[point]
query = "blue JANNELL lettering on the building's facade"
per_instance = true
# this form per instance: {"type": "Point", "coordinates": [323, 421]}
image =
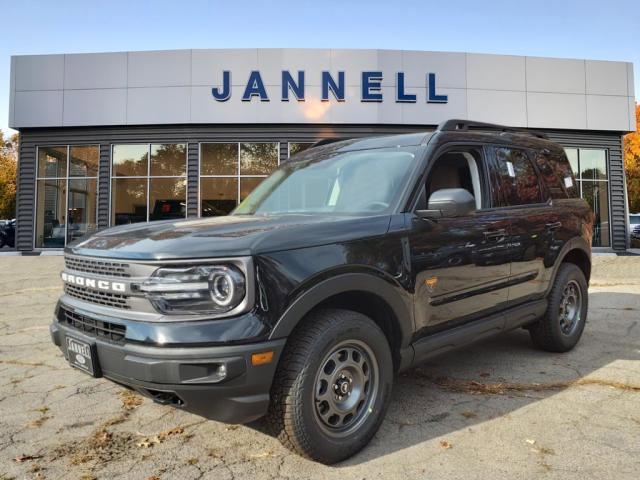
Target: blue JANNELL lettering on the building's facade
{"type": "Point", "coordinates": [371, 87]}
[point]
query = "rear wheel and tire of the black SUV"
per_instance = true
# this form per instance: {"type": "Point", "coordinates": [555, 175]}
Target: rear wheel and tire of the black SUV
{"type": "Point", "coordinates": [563, 323]}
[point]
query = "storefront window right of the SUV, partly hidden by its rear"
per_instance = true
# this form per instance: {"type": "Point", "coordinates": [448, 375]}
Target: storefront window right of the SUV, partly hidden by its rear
{"type": "Point", "coordinates": [590, 169]}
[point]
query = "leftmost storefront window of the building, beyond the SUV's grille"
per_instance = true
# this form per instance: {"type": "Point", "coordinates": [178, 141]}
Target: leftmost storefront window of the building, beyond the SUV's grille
{"type": "Point", "coordinates": [66, 190]}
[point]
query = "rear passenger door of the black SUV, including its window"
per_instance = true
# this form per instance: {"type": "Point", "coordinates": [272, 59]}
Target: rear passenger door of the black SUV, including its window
{"type": "Point", "coordinates": [518, 191]}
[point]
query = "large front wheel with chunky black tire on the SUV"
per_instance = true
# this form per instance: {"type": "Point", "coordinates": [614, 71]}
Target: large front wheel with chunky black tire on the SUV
{"type": "Point", "coordinates": [303, 406]}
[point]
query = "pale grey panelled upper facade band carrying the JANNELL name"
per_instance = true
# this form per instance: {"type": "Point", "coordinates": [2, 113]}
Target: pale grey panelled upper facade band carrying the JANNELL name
{"type": "Point", "coordinates": [282, 86]}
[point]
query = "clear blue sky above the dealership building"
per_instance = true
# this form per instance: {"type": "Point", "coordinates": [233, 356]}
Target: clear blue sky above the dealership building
{"type": "Point", "coordinates": [605, 30]}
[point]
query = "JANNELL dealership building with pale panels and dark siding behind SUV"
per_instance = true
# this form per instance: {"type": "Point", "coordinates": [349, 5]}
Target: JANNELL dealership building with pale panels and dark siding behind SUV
{"type": "Point", "coordinates": [113, 138]}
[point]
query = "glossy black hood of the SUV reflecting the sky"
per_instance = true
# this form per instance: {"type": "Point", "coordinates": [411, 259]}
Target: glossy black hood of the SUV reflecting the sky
{"type": "Point", "coordinates": [234, 235]}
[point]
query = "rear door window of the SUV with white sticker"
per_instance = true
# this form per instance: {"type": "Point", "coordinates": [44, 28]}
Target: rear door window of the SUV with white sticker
{"type": "Point", "coordinates": [515, 180]}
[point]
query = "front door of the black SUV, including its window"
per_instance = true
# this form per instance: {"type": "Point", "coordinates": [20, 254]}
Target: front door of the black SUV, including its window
{"type": "Point", "coordinates": [461, 265]}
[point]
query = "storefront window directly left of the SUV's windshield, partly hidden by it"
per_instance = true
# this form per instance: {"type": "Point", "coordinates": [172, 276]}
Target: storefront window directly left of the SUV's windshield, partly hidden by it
{"type": "Point", "coordinates": [230, 171]}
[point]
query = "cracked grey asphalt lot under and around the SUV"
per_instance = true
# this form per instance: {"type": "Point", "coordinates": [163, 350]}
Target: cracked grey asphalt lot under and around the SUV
{"type": "Point", "coordinates": [500, 409]}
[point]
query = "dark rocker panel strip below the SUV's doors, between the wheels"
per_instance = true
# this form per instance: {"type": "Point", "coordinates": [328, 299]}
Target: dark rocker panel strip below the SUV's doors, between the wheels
{"type": "Point", "coordinates": [447, 340]}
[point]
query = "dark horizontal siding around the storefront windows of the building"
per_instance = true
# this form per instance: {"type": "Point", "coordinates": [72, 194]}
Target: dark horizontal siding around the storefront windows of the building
{"type": "Point", "coordinates": [193, 134]}
